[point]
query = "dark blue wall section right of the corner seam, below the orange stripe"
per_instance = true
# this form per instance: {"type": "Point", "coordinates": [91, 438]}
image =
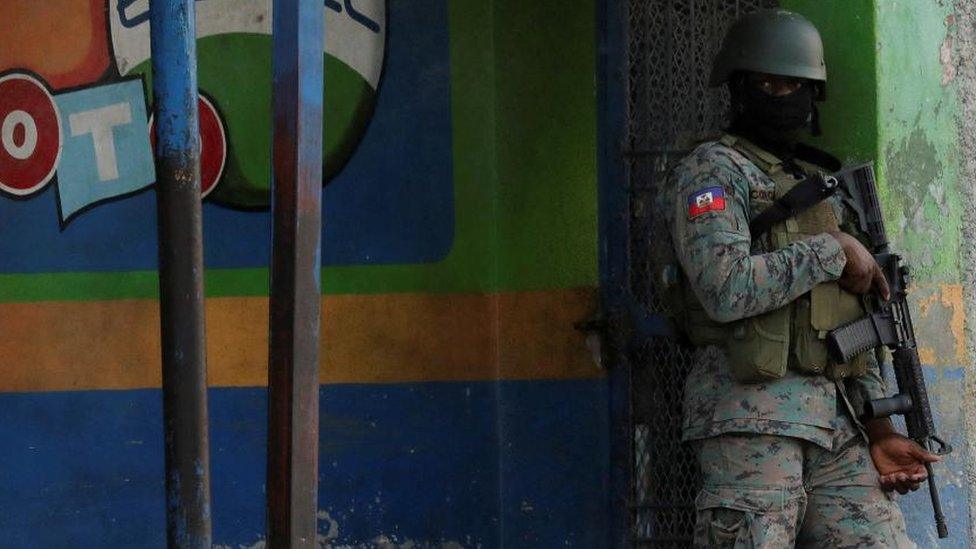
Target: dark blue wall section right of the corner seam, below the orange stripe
{"type": "Point", "coordinates": [555, 464]}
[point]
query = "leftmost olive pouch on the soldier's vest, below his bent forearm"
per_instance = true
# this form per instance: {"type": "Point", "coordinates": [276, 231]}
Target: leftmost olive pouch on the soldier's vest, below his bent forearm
{"type": "Point", "coordinates": [758, 348]}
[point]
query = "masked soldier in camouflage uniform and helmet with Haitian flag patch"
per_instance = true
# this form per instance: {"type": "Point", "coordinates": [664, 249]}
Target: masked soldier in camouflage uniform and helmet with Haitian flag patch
{"type": "Point", "coordinates": [784, 459]}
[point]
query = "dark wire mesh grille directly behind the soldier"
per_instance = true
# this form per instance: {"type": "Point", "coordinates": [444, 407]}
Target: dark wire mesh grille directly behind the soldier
{"type": "Point", "coordinates": [671, 47]}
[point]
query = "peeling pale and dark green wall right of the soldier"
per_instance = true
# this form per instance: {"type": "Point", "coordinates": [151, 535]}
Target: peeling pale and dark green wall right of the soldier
{"type": "Point", "coordinates": [898, 83]}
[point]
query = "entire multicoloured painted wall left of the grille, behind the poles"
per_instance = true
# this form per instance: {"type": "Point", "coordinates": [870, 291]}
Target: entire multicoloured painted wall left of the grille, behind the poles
{"type": "Point", "coordinates": [459, 406]}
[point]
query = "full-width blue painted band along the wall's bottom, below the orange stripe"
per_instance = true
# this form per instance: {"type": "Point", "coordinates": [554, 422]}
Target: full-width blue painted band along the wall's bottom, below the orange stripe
{"type": "Point", "coordinates": [476, 463]}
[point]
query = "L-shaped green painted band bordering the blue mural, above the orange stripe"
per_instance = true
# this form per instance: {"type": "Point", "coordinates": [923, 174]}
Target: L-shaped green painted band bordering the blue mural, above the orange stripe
{"type": "Point", "coordinates": [524, 131]}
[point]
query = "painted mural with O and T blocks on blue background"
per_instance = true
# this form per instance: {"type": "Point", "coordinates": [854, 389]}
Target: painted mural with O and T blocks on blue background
{"type": "Point", "coordinates": [76, 134]}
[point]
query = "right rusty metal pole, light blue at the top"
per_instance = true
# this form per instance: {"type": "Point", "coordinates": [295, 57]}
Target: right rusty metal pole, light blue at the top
{"type": "Point", "coordinates": [293, 404]}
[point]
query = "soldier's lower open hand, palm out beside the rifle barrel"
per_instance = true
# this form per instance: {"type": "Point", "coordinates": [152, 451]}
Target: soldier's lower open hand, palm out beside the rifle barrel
{"type": "Point", "coordinates": [900, 462]}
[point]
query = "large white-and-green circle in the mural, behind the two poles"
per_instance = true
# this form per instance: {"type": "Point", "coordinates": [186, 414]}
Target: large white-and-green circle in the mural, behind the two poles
{"type": "Point", "coordinates": [234, 72]}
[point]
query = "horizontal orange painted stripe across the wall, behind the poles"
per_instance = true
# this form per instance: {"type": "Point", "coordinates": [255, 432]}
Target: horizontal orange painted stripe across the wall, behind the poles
{"type": "Point", "coordinates": [53, 346]}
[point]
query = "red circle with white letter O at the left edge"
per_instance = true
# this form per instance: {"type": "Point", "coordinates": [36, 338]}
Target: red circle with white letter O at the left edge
{"type": "Point", "coordinates": [30, 135]}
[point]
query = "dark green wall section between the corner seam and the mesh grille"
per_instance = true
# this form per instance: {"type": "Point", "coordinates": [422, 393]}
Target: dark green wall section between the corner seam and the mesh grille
{"type": "Point", "coordinates": [545, 69]}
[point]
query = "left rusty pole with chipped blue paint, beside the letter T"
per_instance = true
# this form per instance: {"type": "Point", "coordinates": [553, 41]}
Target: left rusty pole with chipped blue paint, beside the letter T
{"type": "Point", "coordinates": [174, 64]}
